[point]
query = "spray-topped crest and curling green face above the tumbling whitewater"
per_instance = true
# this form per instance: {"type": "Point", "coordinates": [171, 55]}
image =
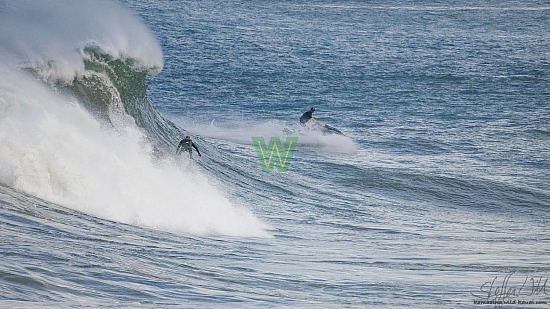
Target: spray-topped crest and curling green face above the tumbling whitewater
{"type": "Point", "coordinates": [94, 50]}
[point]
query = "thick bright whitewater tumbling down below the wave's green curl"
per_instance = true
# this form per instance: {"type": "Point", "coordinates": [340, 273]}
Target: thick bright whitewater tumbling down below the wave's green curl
{"type": "Point", "coordinates": [52, 148]}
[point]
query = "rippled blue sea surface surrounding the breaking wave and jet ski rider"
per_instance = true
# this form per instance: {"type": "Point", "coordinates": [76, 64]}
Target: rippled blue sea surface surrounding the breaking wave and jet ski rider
{"type": "Point", "coordinates": [439, 186]}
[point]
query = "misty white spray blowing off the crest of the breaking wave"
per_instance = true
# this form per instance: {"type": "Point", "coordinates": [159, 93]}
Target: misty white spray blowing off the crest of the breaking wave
{"type": "Point", "coordinates": [50, 35]}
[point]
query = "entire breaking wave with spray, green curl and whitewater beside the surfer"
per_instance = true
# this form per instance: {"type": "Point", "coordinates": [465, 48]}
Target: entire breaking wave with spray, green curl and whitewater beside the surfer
{"type": "Point", "coordinates": [77, 127]}
